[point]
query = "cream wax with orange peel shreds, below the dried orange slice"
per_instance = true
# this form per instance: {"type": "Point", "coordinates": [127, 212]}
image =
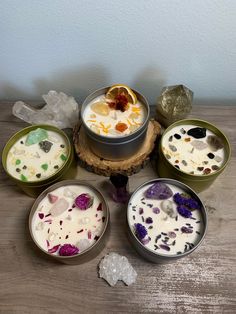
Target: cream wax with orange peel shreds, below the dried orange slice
{"type": "Point", "coordinates": [105, 125]}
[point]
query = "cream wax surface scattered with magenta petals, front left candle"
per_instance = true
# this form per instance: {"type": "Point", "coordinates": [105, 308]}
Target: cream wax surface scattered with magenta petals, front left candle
{"type": "Point", "coordinates": [74, 226]}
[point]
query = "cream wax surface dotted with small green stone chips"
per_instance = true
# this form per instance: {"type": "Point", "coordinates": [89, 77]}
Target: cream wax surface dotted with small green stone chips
{"type": "Point", "coordinates": [31, 163]}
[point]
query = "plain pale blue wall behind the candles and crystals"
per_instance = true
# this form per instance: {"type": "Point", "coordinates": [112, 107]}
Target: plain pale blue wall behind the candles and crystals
{"type": "Point", "coordinates": [77, 46]}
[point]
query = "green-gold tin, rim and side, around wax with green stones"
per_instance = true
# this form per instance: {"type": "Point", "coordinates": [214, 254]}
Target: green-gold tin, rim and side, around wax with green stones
{"type": "Point", "coordinates": [30, 187]}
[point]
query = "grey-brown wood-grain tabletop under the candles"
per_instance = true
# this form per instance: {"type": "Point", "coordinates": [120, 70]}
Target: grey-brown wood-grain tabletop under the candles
{"type": "Point", "coordinates": [204, 282]}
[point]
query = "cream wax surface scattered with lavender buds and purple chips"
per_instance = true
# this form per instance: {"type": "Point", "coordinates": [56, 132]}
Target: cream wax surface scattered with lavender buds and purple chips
{"type": "Point", "coordinates": [164, 230]}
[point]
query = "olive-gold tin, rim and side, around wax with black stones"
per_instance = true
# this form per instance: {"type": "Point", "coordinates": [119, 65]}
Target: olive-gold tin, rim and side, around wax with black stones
{"type": "Point", "coordinates": [197, 182]}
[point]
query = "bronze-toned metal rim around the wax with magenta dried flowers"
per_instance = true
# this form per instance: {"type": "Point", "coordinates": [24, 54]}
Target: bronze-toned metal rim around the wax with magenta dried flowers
{"type": "Point", "coordinates": [51, 189]}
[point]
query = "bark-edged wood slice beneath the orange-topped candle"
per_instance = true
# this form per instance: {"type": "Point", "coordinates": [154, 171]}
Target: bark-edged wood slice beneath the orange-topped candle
{"type": "Point", "coordinates": [91, 162]}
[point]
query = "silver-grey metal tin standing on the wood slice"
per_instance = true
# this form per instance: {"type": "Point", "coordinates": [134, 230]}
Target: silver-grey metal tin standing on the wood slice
{"type": "Point", "coordinates": [115, 148]}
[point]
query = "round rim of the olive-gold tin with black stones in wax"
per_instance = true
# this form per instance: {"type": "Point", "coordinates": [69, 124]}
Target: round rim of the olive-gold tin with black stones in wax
{"type": "Point", "coordinates": [214, 129]}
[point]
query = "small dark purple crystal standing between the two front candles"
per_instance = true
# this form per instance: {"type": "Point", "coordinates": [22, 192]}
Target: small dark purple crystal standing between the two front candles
{"type": "Point", "coordinates": [120, 183]}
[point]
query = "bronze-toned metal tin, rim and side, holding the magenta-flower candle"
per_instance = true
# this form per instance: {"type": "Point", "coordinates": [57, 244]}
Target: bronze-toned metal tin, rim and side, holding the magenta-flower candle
{"type": "Point", "coordinates": [91, 251]}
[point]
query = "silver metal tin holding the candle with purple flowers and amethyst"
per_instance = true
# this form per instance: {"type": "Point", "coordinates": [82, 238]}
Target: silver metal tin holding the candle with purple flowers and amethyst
{"type": "Point", "coordinates": [157, 257]}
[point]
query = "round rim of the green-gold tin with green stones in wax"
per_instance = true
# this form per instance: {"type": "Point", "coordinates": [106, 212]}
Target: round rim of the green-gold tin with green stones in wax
{"type": "Point", "coordinates": [23, 132]}
